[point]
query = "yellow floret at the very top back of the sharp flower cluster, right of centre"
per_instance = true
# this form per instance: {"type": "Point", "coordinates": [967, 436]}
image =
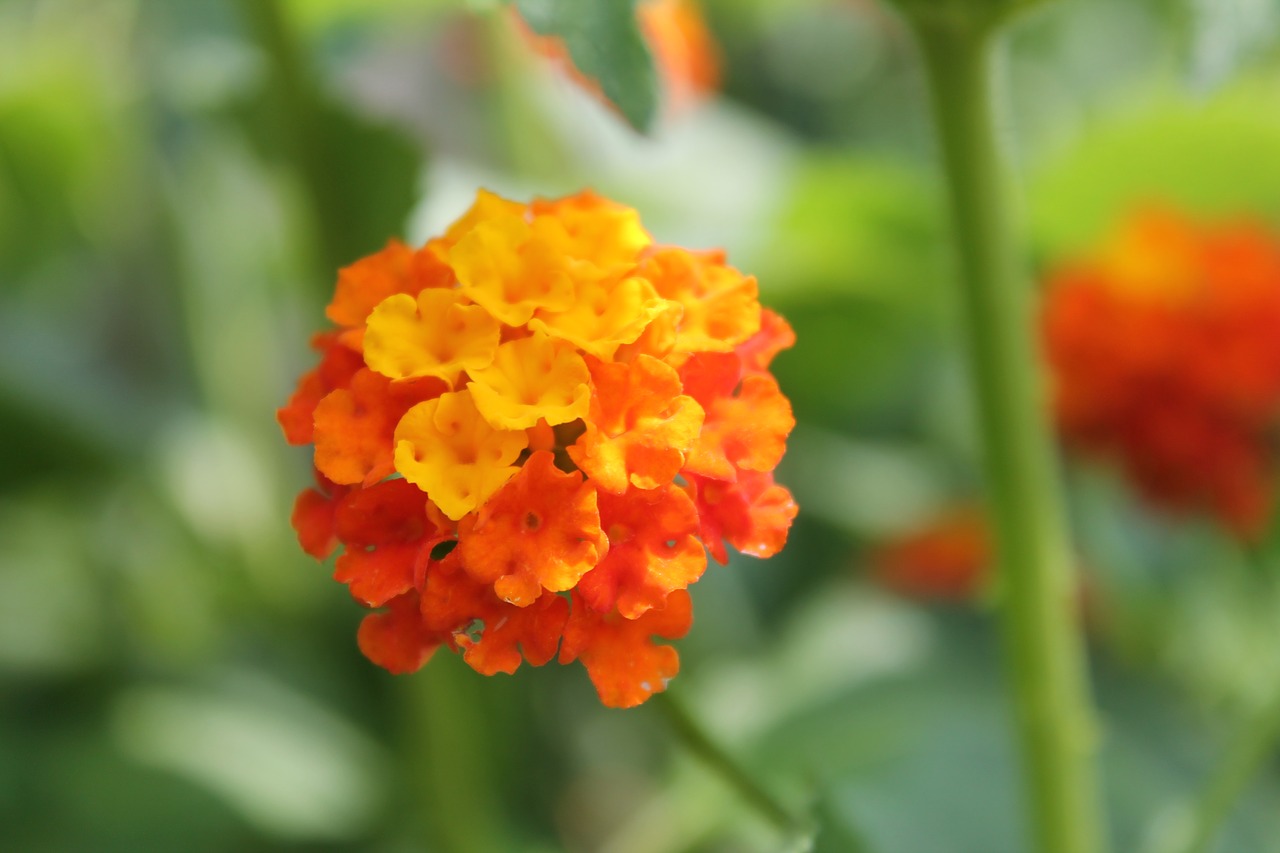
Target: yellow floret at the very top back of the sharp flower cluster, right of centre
{"type": "Point", "coordinates": [601, 232]}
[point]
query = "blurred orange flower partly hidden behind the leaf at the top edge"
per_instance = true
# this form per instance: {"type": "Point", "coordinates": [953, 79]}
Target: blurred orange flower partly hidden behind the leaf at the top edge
{"type": "Point", "coordinates": [683, 48]}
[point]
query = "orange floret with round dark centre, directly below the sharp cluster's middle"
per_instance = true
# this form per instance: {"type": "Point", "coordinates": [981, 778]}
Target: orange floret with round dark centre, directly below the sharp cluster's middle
{"type": "Point", "coordinates": [542, 531]}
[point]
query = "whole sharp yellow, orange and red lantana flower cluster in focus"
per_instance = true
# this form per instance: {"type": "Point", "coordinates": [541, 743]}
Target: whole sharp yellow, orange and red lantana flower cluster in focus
{"type": "Point", "coordinates": [527, 432]}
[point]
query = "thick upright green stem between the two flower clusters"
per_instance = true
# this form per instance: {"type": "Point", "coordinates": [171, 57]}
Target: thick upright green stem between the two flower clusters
{"type": "Point", "coordinates": [1039, 601]}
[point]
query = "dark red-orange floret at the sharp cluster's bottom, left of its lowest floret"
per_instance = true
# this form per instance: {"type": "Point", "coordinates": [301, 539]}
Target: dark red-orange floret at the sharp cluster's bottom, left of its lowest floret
{"type": "Point", "coordinates": [492, 635]}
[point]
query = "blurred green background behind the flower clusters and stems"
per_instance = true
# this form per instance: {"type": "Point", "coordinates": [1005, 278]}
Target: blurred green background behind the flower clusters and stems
{"type": "Point", "coordinates": [180, 184]}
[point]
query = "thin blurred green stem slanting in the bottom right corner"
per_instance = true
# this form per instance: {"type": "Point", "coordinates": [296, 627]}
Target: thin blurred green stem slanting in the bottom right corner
{"type": "Point", "coordinates": [1254, 745]}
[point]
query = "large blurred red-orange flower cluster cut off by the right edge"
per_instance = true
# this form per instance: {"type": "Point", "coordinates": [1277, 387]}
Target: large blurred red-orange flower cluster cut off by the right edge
{"type": "Point", "coordinates": [1165, 352]}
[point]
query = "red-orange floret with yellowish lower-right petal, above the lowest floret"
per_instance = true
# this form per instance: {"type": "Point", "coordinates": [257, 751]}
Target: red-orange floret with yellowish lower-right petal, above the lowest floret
{"type": "Point", "coordinates": [653, 550]}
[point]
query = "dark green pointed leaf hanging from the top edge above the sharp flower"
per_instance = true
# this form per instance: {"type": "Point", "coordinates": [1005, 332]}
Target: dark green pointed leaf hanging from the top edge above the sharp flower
{"type": "Point", "coordinates": [604, 38]}
